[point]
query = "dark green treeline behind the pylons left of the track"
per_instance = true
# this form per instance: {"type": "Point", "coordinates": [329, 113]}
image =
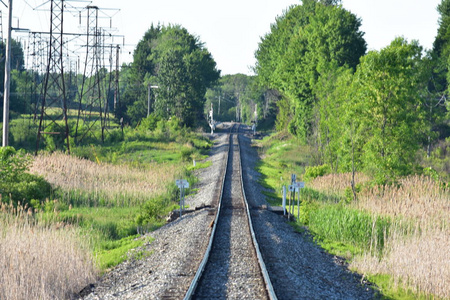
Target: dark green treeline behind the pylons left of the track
{"type": "Point", "coordinates": [168, 58]}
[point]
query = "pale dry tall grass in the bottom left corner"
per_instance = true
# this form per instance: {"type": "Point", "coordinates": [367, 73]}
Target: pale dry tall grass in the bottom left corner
{"type": "Point", "coordinates": [39, 260]}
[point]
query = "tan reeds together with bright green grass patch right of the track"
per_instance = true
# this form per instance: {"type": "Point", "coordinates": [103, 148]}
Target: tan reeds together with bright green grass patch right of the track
{"type": "Point", "coordinates": [410, 227]}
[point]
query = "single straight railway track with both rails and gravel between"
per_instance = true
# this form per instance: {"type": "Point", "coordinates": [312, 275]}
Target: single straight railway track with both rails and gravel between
{"type": "Point", "coordinates": [232, 266]}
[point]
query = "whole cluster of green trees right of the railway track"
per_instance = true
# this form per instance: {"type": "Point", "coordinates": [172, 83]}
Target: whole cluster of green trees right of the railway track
{"type": "Point", "coordinates": [360, 111]}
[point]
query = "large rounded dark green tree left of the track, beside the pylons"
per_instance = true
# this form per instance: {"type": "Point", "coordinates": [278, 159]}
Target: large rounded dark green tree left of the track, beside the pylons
{"type": "Point", "coordinates": [181, 67]}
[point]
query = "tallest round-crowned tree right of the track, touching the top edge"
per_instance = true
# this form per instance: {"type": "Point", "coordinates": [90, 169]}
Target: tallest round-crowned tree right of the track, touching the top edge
{"type": "Point", "coordinates": [301, 45]}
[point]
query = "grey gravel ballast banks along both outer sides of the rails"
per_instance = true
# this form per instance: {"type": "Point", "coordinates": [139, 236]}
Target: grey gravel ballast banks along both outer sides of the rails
{"type": "Point", "coordinates": [298, 268]}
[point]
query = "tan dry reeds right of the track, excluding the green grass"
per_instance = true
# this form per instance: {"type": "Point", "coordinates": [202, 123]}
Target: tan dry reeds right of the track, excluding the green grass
{"type": "Point", "coordinates": [418, 258]}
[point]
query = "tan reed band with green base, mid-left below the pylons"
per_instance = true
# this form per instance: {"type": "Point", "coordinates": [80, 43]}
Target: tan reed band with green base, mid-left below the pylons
{"type": "Point", "coordinates": [87, 183]}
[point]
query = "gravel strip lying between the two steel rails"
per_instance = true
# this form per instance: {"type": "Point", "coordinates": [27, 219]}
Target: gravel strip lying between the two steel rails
{"type": "Point", "coordinates": [233, 270]}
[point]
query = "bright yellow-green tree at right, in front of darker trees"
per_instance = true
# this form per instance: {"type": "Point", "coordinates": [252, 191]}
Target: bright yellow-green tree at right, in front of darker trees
{"type": "Point", "coordinates": [389, 109]}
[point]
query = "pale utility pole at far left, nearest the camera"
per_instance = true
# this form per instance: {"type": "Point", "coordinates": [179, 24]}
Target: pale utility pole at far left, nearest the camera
{"type": "Point", "coordinates": [7, 80]}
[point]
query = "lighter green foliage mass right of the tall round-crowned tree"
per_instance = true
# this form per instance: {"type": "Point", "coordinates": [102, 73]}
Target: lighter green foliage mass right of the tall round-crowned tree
{"type": "Point", "coordinates": [374, 120]}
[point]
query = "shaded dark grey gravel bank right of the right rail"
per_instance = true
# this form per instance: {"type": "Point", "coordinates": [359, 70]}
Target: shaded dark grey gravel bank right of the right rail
{"type": "Point", "coordinates": [298, 268]}
